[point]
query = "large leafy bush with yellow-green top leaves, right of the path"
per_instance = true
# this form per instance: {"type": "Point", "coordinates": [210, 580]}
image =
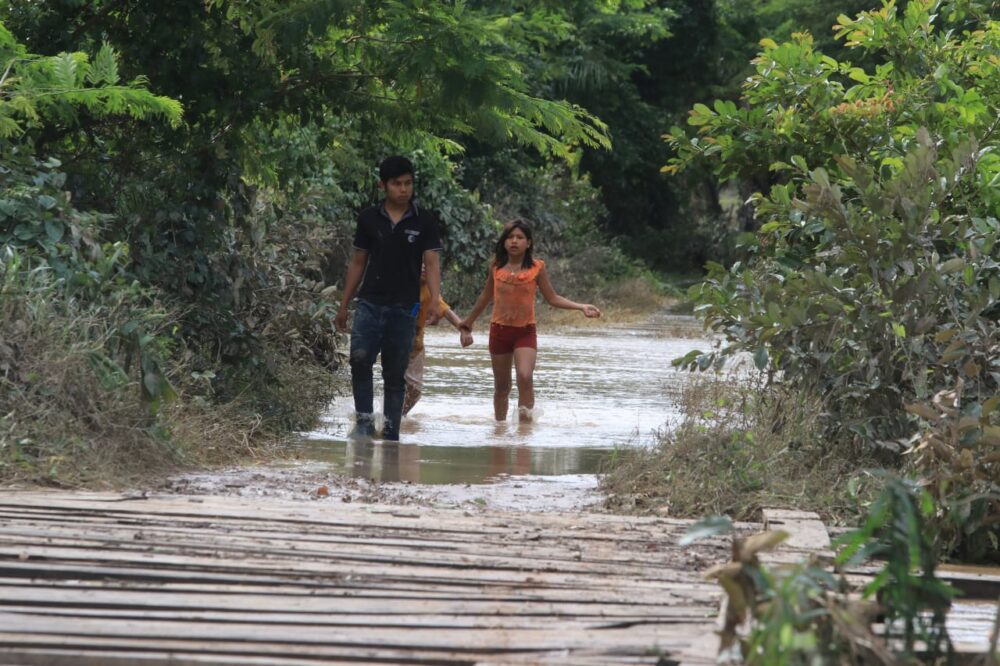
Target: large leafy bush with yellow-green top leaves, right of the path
{"type": "Point", "coordinates": [874, 277]}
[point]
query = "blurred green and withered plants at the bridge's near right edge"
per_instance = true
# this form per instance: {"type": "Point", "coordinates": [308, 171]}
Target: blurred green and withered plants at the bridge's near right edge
{"type": "Point", "coordinates": [806, 614]}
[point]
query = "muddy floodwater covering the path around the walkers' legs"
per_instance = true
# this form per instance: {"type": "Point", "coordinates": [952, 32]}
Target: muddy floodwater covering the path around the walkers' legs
{"type": "Point", "coordinates": [596, 389]}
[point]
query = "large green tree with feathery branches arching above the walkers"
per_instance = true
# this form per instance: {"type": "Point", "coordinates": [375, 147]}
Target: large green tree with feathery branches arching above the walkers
{"type": "Point", "coordinates": [425, 74]}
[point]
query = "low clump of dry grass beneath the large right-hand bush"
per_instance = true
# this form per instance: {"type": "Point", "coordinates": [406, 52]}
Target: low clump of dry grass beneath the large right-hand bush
{"type": "Point", "coordinates": [740, 448]}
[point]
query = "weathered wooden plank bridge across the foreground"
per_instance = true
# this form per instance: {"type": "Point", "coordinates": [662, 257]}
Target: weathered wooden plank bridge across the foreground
{"type": "Point", "coordinates": [110, 579]}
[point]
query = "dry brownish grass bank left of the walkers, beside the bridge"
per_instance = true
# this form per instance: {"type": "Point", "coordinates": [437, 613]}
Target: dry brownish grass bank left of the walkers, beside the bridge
{"type": "Point", "coordinates": [60, 424]}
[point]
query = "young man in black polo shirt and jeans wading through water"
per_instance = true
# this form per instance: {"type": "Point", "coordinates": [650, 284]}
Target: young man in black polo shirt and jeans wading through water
{"type": "Point", "coordinates": [391, 242]}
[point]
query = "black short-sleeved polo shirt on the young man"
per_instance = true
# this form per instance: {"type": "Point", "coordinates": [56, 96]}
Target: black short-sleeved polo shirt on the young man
{"type": "Point", "coordinates": [394, 253]}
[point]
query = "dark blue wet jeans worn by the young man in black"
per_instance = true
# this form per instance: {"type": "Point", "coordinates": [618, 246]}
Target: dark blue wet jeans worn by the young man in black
{"type": "Point", "coordinates": [385, 329]}
